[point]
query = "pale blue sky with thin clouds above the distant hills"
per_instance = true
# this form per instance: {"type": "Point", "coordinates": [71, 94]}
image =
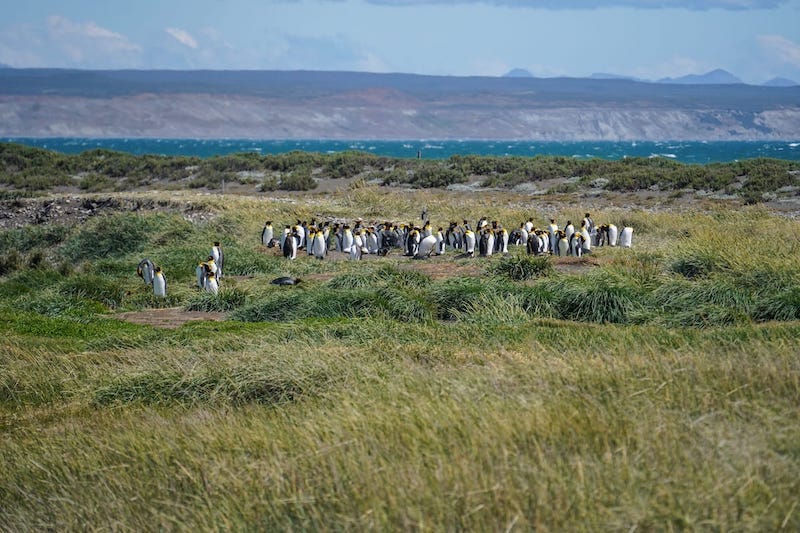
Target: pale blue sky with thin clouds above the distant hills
{"type": "Point", "coordinates": [651, 39]}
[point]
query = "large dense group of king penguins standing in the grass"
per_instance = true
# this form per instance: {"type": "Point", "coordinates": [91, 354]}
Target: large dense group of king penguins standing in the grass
{"type": "Point", "coordinates": [421, 241]}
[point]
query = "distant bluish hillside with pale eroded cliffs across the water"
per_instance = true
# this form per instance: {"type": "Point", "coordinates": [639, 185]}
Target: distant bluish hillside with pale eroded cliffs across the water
{"type": "Point", "coordinates": [350, 105]}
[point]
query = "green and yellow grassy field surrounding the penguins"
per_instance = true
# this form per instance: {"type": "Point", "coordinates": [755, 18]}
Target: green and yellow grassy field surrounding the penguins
{"type": "Point", "coordinates": [652, 389]}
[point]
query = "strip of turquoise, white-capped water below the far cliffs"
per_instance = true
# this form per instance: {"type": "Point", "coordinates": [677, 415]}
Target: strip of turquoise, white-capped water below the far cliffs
{"type": "Point", "coordinates": [684, 151]}
